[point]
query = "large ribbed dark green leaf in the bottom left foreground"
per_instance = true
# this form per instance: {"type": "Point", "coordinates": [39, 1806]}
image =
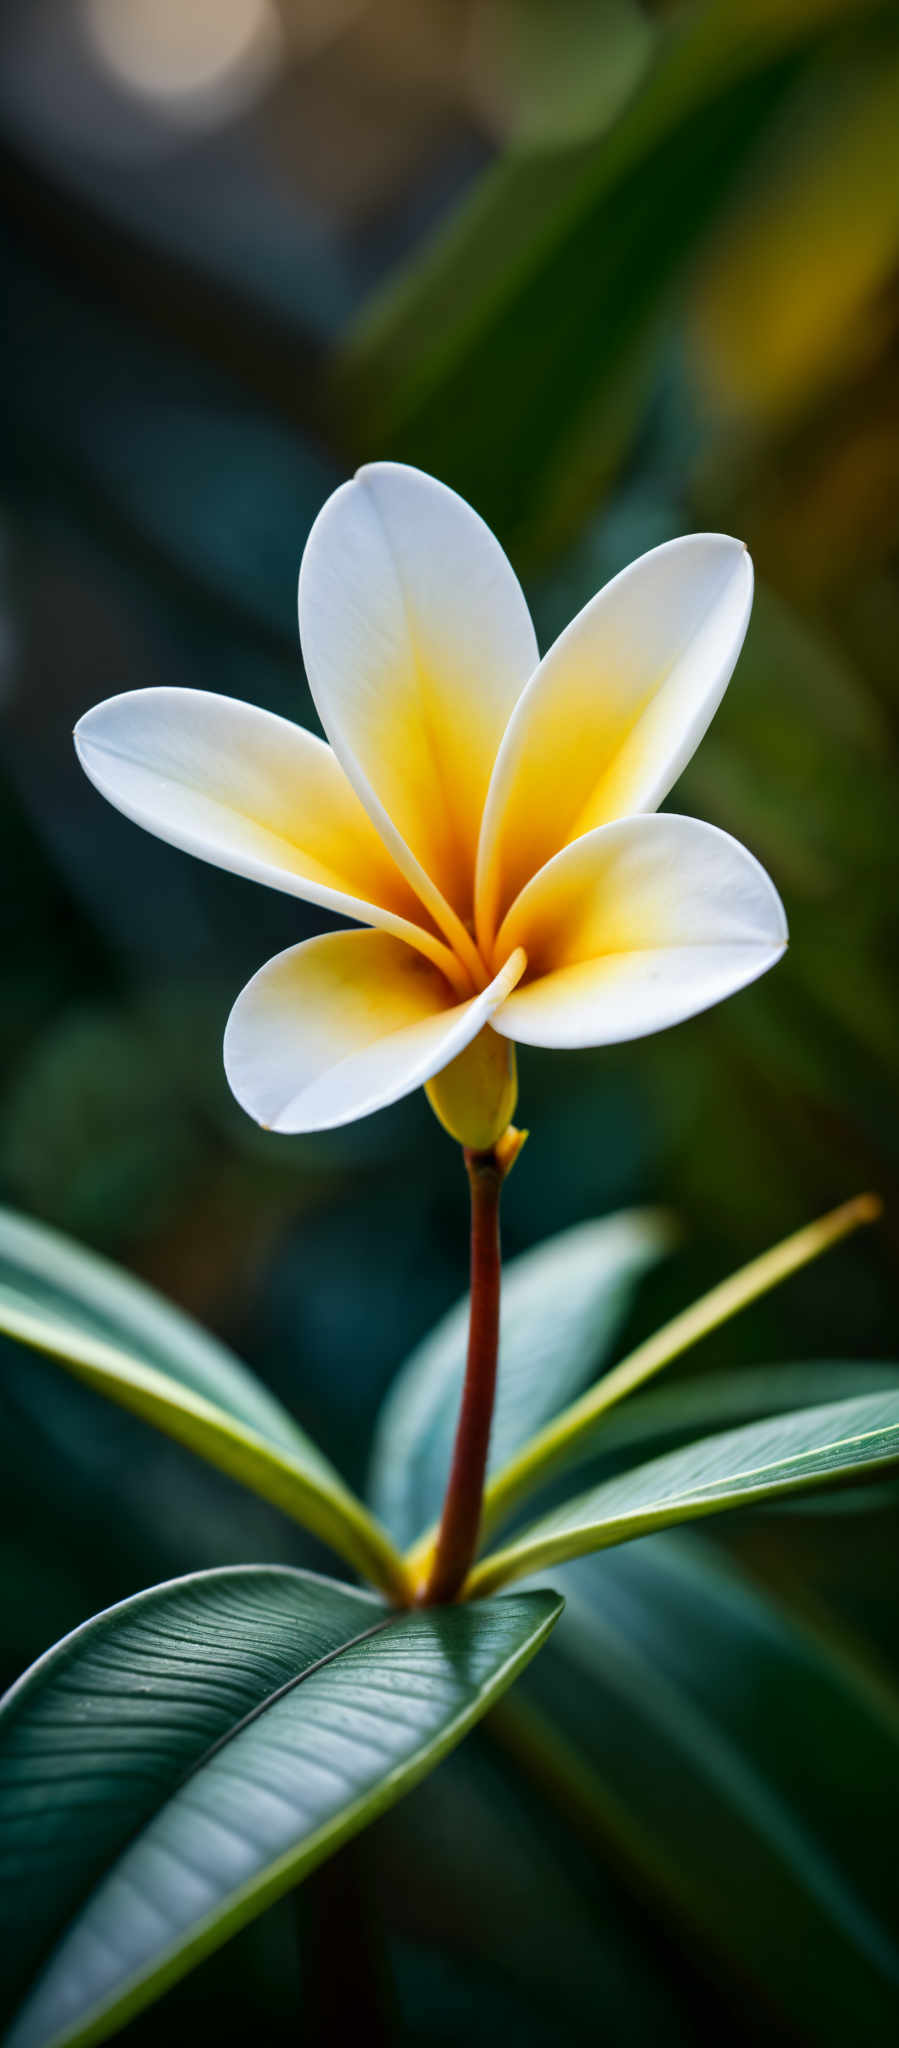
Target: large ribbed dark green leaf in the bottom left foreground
{"type": "Point", "coordinates": [185, 1758]}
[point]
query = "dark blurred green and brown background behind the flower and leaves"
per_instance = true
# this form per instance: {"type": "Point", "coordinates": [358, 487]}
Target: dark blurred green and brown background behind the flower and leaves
{"type": "Point", "coordinates": [617, 273]}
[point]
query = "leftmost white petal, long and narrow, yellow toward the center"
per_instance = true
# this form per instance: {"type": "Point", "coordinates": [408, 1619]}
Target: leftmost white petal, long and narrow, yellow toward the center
{"type": "Point", "coordinates": [251, 794]}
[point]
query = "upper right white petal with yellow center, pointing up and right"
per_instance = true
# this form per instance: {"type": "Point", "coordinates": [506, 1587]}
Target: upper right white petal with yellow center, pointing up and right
{"type": "Point", "coordinates": [615, 710]}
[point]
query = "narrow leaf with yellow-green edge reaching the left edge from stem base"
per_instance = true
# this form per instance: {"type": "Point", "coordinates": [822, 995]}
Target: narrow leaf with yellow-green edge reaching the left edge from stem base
{"type": "Point", "coordinates": [122, 1340]}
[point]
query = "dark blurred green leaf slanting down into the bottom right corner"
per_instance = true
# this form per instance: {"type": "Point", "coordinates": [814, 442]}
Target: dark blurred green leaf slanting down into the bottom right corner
{"type": "Point", "coordinates": [740, 1764]}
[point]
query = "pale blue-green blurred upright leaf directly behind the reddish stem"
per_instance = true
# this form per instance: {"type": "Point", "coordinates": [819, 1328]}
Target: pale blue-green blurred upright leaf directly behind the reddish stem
{"type": "Point", "coordinates": [562, 1310]}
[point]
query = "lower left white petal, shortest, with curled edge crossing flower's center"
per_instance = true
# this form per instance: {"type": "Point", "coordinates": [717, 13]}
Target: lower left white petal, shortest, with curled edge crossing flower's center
{"type": "Point", "coordinates": [345, 1025]}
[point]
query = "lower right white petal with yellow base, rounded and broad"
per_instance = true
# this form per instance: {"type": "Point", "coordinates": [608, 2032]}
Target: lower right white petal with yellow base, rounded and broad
{"type": "Point", "coordinates": [638, 927]}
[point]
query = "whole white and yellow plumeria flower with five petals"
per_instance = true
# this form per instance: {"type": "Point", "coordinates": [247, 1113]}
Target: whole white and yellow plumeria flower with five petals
{"type": "Point", "coordinates": [488, 816]}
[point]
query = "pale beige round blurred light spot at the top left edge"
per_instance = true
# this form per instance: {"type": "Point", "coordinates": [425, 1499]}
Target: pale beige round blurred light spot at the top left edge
{"type": "Point", "coordinates": [210, 56]}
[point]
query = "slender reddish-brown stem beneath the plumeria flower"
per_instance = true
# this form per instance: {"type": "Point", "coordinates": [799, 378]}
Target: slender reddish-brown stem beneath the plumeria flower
{"type": "Point", "coordinates": [462, 1510]}
